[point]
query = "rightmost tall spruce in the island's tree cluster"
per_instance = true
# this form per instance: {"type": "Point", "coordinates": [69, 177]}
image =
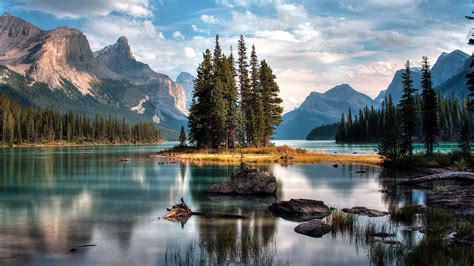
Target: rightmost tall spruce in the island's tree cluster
{"type": "Point", "coordinates": [271, 102]}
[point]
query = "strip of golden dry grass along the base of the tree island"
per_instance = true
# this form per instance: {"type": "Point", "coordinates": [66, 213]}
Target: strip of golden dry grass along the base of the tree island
{"type": "Point", "coordinates": [280, 154]}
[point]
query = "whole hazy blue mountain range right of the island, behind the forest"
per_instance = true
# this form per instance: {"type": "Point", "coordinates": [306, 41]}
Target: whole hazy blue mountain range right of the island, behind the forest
{"type": "Point", "coordinates": [448, 75]}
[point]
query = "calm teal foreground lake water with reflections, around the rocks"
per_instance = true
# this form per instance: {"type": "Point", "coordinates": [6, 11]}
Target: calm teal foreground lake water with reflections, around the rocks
{"type": "Point", "coordinates": [54, 199]}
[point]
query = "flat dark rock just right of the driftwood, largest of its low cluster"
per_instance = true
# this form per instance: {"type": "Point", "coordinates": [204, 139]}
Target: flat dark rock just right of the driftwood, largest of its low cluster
{"type": "Point", "coordinates": [300, 209]}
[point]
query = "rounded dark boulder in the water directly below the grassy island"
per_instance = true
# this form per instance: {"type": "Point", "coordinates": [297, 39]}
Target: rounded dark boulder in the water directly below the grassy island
{"type": "Point", "coordinates": [247, 182]}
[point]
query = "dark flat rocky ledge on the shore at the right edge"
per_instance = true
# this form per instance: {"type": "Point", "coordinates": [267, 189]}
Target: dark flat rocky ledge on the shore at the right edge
{"type": "Point", "coordinates": [460, 199]}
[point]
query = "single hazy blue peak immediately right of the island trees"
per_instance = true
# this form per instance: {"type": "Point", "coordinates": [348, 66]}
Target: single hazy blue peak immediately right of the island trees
{"type": "Point", "coordinates": [320, 109]}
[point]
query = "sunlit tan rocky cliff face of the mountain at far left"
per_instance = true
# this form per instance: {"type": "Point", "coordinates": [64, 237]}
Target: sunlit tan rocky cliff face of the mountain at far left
{"type": "Point", "coordinates": [50, 56]}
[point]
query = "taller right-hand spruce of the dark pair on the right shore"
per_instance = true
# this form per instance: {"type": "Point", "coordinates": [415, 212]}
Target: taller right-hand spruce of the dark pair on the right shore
{"type": "Point", "coordinates": [429, 110]}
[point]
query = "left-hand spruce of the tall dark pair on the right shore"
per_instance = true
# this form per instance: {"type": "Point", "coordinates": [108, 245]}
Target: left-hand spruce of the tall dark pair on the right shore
{"type": "Point", "coordinates": [407, 112]}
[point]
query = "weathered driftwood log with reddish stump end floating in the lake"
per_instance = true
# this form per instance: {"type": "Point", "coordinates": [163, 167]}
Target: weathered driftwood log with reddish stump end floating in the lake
{"type": "Point", "coordinates": [181, 212]}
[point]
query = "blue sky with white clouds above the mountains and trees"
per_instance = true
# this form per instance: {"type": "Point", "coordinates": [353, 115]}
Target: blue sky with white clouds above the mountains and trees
{"type": "Point", "coordinates": [312, 45]}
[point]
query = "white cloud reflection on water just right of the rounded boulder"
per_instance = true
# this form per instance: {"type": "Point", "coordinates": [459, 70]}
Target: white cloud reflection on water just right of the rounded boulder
{"type": "Point", "coordinates": [337, 187]}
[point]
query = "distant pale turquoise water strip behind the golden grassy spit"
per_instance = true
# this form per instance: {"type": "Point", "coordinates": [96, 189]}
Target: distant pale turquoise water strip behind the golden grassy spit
{"type": "Point", "coordinates": [330, 146]}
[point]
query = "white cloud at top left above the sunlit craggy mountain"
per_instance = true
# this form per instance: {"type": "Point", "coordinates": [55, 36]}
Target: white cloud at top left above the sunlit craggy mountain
{"type": "Point", "coordinates": [88, 8]}
